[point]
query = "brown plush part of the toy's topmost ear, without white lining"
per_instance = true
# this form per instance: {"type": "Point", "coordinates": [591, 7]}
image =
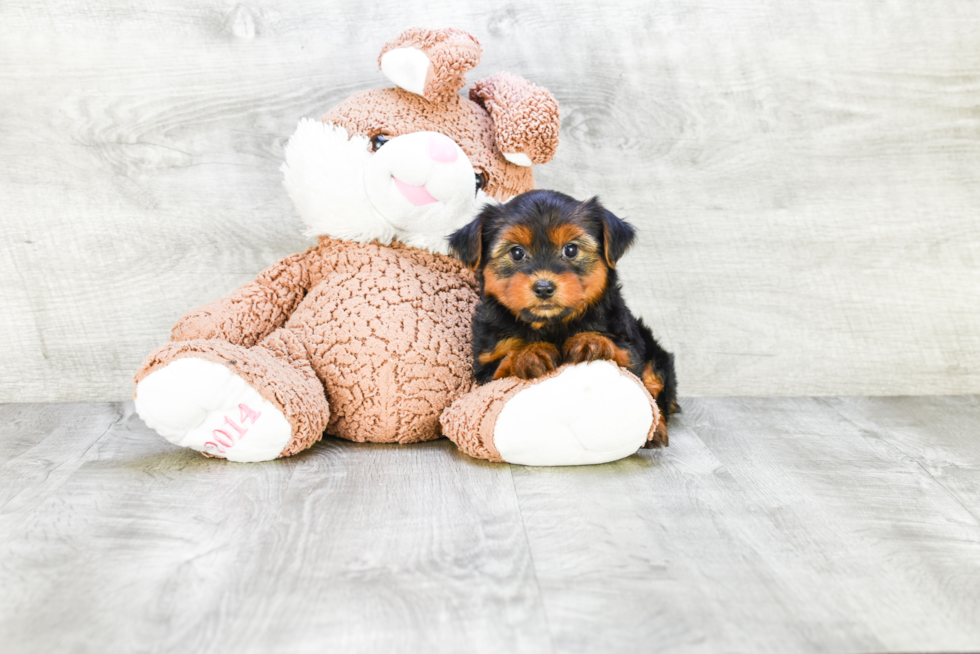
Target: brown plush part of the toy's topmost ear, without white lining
{"type": "Point", "coordinates": [451, 52]}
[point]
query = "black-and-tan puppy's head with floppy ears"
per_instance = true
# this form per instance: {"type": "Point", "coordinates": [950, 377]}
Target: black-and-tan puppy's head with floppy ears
{"type": "Point", "coordinates": [543, 255]}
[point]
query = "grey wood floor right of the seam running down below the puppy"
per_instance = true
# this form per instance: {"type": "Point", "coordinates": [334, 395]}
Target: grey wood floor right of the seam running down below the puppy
{"type": "Point", "coordinates": [769, 525]}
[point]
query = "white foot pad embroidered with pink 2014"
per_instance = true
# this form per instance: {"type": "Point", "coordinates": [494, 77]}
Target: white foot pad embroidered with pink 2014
{"type": "Point", "coordinates": [205, 406]}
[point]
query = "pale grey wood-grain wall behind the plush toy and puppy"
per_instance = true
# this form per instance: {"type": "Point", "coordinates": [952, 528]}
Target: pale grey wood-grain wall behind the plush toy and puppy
{"type": "Point", "coordinates": [804, 174]}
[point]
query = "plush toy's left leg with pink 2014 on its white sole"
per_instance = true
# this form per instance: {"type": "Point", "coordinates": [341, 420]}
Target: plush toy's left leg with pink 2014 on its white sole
{"type": "Point", "coordinates": [229, 401]}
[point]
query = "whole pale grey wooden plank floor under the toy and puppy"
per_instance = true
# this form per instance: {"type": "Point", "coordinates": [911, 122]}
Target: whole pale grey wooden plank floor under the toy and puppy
{"type": "Point", "coordinates": [769, 525]}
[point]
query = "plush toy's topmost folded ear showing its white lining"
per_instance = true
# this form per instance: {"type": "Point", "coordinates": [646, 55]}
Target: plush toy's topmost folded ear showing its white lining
{"type": "Point", "coordinates": [430, 63]}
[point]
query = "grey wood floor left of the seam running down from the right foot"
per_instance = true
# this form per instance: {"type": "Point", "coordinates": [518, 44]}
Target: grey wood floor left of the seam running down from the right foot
{"type": "Point", "coordinates": [114, 540]}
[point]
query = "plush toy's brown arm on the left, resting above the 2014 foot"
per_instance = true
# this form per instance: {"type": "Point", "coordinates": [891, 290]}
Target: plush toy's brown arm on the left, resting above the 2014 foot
{"type": "Point", "coordinates": [251, 312]}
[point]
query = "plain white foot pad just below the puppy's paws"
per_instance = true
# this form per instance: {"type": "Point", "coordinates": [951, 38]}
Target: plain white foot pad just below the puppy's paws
{"type": "Point", "coordinates": [591, 413]}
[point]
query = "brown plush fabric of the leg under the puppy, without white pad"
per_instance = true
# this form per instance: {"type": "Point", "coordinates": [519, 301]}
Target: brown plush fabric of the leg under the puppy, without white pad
{"type": "Point", "coordinates": [470, 421]}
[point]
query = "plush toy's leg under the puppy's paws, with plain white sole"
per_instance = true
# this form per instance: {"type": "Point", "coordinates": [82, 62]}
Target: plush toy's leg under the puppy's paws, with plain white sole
{"type": "Point", "coordinates": [580, 414]}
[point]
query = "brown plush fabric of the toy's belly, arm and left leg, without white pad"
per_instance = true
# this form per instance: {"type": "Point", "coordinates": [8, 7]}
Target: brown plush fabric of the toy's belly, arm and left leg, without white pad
{"type": "Point", "coordinates": [384, 329]}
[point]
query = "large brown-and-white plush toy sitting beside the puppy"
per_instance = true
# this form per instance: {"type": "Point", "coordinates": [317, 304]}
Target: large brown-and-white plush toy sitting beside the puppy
{"type": "Point", "coordinates": [366, 335]}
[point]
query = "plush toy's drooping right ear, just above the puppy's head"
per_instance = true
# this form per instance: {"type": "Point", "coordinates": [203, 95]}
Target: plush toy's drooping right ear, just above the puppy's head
{"type": "Point", "coordinates": [525, 117]}
